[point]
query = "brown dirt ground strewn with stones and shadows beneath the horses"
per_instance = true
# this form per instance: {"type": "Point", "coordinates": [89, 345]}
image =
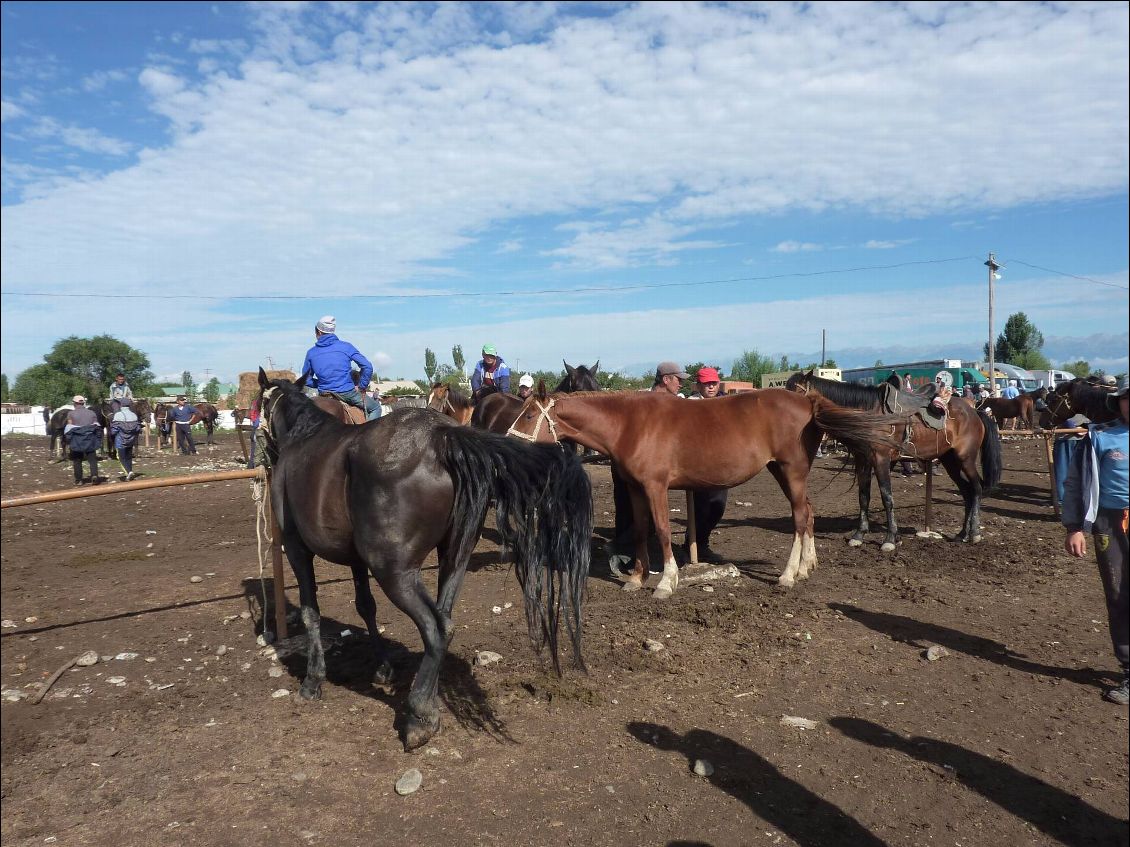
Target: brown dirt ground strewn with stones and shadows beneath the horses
{"type": "Point", "coordinates": [1005, 740]}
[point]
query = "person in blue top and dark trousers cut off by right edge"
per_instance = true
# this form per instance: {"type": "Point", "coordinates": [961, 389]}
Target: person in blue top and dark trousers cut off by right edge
{"type": "Point", "coordinates": [1097, 500]}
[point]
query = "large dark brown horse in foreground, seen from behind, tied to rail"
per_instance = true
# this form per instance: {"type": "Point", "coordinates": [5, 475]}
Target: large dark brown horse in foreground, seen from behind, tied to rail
{"type": "Point", "coordinates": [378, 499]}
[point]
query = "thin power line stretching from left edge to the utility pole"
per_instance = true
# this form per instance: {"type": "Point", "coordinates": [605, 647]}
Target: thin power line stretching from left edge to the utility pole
{"type": "Point", "coordinates": [587, 290]}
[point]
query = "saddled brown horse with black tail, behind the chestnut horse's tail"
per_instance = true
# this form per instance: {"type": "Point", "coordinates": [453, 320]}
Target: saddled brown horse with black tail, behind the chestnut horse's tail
{"type": "Point", "coordinates": [969, 434]}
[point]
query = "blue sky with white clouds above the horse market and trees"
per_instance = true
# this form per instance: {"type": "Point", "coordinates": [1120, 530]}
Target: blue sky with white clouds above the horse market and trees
{"type": "Point", "coordinates": [566, 181]}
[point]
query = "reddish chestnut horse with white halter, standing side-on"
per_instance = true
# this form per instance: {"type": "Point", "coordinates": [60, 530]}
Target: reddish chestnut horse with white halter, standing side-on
{"type": "Point", "coordinates": [656, 442]}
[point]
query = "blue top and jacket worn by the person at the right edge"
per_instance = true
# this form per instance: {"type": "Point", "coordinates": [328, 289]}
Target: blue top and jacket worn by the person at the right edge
{"type": "Point", "coordinates": [1100, 476]}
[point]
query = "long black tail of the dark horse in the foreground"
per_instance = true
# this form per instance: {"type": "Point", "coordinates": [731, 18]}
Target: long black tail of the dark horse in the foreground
{"type": "Point", "coordinates": [544, 513]}
